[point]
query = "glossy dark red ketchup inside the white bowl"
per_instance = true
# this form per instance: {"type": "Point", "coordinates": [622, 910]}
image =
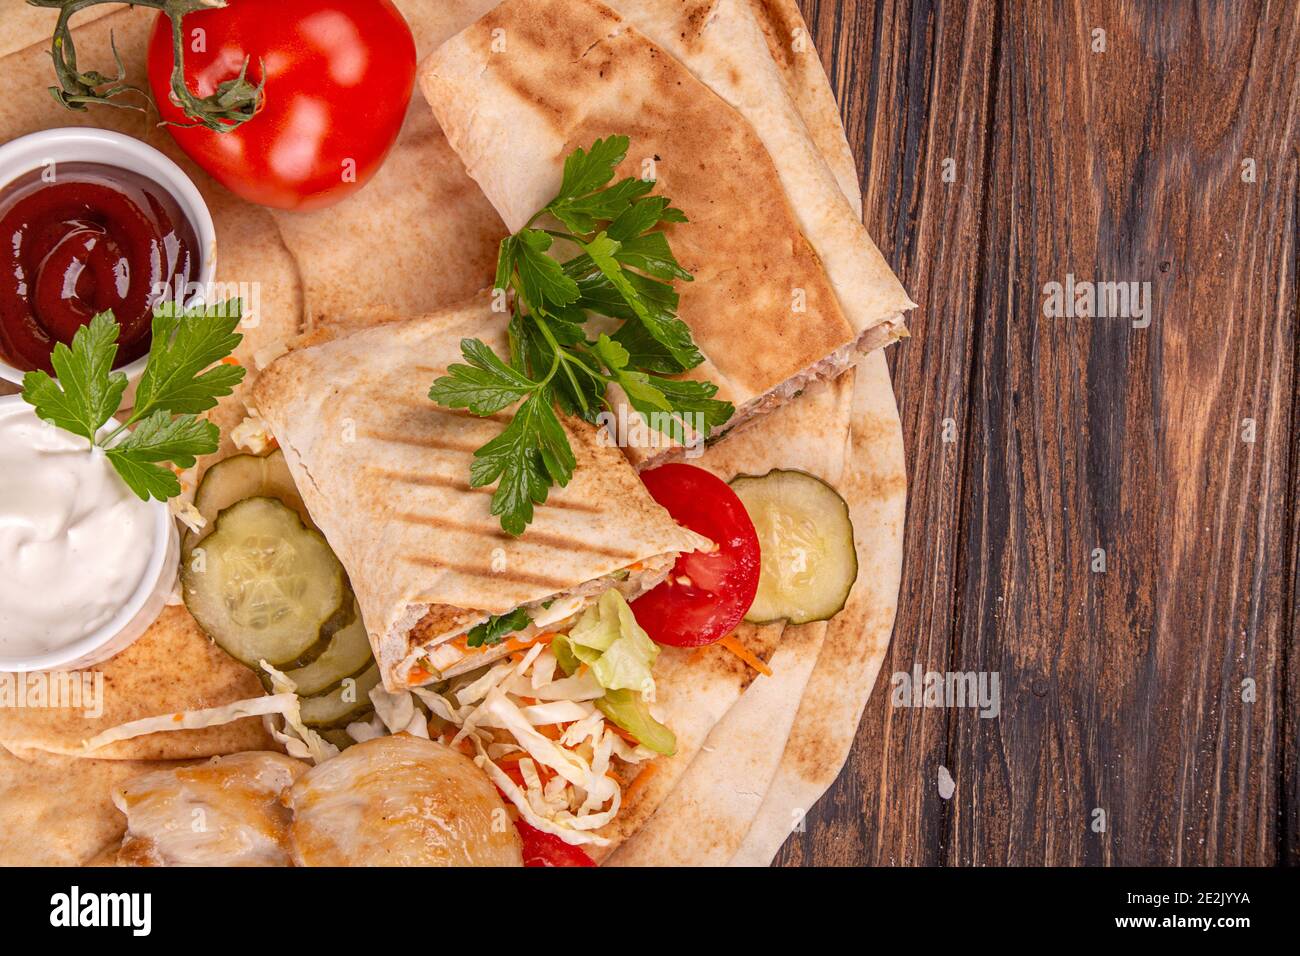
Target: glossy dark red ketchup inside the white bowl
{"type": "Point", "coordinates": [96, 239]}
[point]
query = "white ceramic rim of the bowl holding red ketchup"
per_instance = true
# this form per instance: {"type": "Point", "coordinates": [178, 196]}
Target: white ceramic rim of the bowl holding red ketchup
{"type": "Point", "coordinates": [89, 145]}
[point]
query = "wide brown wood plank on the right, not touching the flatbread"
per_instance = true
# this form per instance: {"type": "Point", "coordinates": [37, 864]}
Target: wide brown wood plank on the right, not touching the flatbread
{"type": "Point", "coordinates": [1123, 691]}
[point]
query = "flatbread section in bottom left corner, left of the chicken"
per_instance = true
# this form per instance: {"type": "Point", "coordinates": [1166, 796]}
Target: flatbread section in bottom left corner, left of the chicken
{"type": "Point", "coordinates": [59, 811]}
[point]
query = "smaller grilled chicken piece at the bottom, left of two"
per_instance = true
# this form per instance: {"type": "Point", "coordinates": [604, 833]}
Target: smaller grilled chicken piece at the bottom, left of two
{"type": "Point", "coordinates": [227, 812]}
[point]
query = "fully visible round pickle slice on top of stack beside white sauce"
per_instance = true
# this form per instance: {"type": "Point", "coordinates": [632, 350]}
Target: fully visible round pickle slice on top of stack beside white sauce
{"type": "Point", "coordinates": [267, 587]}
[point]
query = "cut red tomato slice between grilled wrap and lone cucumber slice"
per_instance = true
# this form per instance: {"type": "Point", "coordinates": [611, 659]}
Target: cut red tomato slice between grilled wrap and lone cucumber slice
{"type": "Point", "coordinates": [708, 595]}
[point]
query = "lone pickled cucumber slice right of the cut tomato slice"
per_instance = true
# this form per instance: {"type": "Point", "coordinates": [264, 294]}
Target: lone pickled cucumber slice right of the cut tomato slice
{"type": "Point", "coordinates": [807, 543]}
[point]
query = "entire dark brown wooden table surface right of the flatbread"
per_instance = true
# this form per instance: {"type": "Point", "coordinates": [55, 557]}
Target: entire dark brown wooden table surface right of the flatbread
{"type": "Point", "coordinates": [1162, 693]}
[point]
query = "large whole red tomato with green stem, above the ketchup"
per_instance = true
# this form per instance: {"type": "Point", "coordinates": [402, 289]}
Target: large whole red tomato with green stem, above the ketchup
{"type": "Point", "coordinates": [339, 80]}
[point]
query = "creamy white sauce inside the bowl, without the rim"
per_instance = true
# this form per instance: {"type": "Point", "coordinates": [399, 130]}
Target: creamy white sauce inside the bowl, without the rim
{"type": "Point", "coordinates": [75, 540]}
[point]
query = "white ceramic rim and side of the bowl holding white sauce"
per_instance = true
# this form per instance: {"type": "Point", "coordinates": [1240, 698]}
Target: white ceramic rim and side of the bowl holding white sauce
{"type": "Point", "coordinates": [138, 611]}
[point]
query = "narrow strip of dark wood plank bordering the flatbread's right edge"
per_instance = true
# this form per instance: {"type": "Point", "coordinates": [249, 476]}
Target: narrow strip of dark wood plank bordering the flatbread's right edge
{"type": "Point", "coordinates": [913, 84]}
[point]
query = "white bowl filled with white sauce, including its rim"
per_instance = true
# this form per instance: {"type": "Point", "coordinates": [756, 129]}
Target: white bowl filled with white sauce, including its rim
{"type": "Point", "coordinates": [85, 565]}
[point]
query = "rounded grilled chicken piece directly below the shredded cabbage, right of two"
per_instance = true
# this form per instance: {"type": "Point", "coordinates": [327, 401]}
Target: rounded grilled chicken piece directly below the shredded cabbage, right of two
{"type": "Point", "coordinates": [401, 802]}
